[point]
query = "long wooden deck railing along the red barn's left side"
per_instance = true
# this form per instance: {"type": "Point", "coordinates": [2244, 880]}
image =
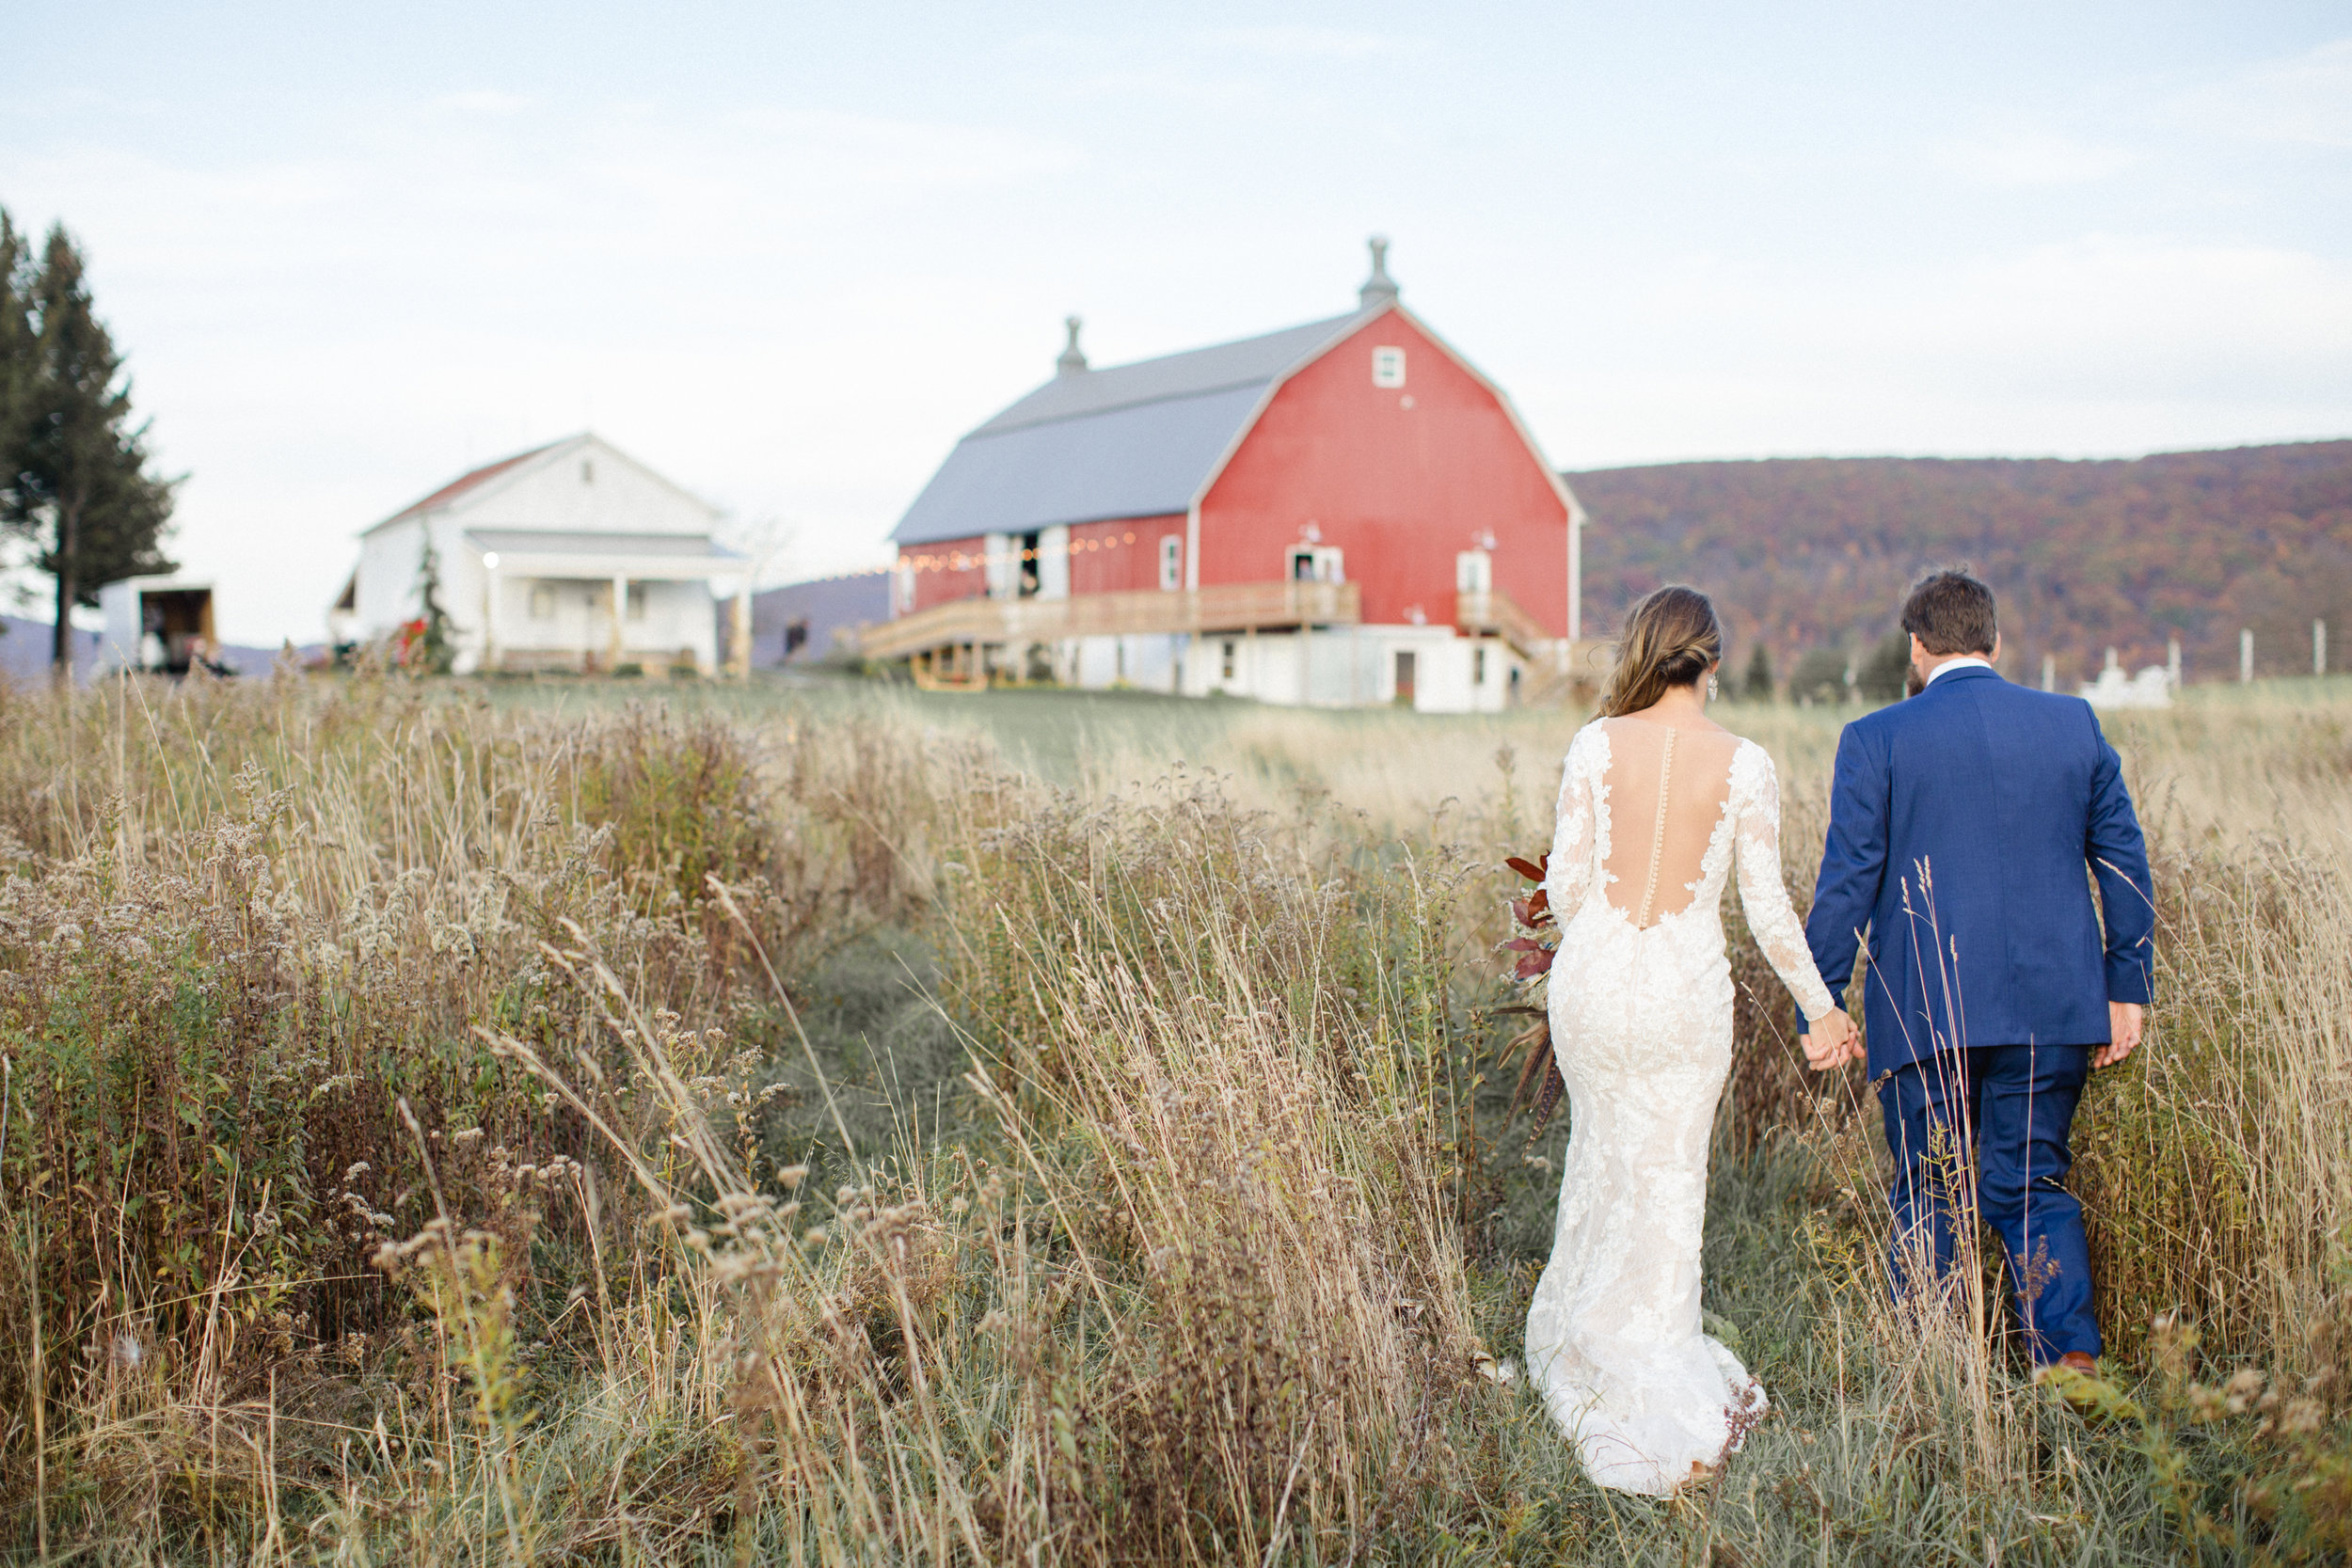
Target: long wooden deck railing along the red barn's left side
{"type": "Point", "coordinates": [1229, 608]}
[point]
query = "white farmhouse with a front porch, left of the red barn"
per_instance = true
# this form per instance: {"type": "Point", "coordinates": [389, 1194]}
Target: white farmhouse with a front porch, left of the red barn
{"type": "Point", "coordinates": [563, 558]}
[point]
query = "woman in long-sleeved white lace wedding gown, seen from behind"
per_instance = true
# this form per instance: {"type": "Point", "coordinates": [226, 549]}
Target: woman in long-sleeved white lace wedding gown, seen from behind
{"type": "Point", "coordinates": [1657, 808]}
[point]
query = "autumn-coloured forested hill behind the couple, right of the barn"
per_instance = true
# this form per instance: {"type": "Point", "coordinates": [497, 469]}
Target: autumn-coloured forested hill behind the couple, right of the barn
{"type": "Point", "coordinates": [2083, 556]}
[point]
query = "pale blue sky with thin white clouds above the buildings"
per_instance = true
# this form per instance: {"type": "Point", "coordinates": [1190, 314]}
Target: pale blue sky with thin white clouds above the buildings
{"type": "Point", "coordinates": [789, 253]}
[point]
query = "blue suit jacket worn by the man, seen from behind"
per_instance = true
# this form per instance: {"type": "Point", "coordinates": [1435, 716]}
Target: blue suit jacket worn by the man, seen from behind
{"type": "Point", "coordinates": [1967, 826]}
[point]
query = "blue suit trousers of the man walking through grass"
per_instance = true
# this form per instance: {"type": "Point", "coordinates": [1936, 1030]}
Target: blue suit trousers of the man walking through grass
{"type": "Point", "coordinates": [1998, 1115]}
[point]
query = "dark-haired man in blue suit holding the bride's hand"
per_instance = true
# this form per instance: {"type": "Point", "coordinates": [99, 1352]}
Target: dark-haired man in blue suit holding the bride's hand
{"type": "Point", "coordinates": [1967, 826]}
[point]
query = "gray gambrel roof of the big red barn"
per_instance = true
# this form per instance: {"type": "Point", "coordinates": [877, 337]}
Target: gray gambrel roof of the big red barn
{"type": "Point", "coordinates": [1130, 441]}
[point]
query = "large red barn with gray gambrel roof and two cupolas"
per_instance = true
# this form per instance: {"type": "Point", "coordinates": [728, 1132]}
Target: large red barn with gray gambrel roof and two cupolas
{"type": "Point", "coordinates": [1337, 514]}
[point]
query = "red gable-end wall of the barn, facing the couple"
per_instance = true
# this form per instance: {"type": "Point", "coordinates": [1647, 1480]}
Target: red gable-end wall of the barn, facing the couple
{"type": "Point", "coordinates": [1401, 490]}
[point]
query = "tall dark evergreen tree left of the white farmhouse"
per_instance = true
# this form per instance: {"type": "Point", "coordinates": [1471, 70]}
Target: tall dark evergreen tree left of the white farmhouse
{"type": "Point", "coordinates": [79, 469]}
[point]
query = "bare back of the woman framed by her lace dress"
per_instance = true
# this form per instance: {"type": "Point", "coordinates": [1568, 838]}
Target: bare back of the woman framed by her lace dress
{"type": "Point", "coordinates": [1666, 793]}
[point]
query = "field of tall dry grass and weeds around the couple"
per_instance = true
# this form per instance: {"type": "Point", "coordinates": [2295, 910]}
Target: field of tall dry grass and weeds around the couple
{"type": "Point", "coordinates": [509, 1125]}
